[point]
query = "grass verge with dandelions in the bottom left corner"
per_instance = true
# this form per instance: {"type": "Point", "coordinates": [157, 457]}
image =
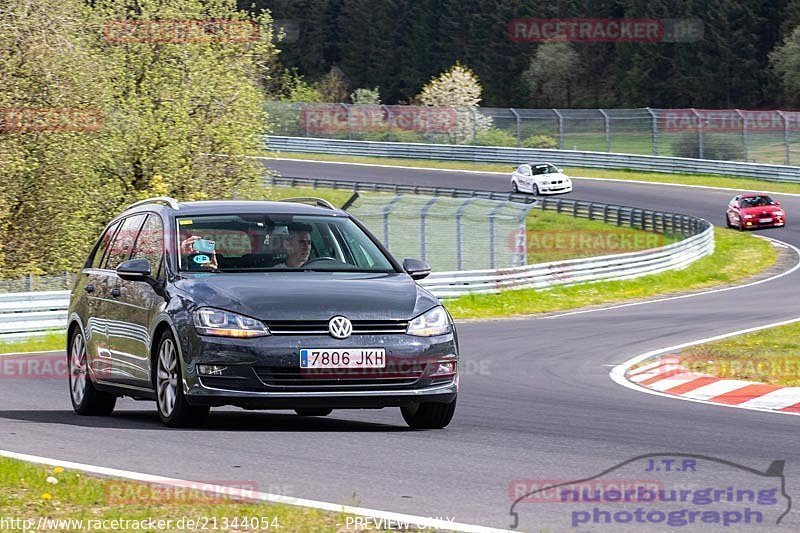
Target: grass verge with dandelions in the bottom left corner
{"type": "Point", "coordinates": [26, 494]}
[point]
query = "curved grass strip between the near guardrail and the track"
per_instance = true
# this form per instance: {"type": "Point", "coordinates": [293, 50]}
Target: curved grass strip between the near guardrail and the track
{"type": "Point", "coordinates": [736, 257]}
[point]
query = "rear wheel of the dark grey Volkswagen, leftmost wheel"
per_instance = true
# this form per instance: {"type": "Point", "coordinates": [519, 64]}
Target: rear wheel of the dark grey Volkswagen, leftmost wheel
{"type": "Point", "coordinates": [86, 399]}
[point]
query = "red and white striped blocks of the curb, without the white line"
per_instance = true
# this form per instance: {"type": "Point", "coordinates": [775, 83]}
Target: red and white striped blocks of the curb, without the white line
{"type": "Point", "coordinates": [666, 374]}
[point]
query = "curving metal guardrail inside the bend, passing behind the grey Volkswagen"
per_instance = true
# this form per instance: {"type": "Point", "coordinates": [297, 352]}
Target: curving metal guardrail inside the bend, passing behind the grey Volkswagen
{"type": "Point", "coordinates": [34, 313]}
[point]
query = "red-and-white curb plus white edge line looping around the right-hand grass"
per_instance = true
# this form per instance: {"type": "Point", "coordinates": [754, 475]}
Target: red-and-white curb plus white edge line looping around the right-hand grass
{"type": "Point", "coordinates": [661, 373]}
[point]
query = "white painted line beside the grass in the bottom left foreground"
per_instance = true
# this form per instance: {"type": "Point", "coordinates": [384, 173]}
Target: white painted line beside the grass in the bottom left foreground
{"type": "Point", "coordinates": [261, 496]}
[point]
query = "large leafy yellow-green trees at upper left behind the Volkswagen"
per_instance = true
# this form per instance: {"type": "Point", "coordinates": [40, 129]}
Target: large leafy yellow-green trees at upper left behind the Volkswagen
{"type": "Point", "coordinates": [167, 109]}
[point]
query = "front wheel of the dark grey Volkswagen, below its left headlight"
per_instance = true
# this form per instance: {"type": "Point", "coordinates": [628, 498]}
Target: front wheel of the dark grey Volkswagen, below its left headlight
{"type": "Point", "coordinates": [173, 409]}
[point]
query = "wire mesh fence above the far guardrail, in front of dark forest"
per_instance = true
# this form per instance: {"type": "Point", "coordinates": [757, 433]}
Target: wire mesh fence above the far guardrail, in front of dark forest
{"type": "Point", "coordinates": [761, 136]}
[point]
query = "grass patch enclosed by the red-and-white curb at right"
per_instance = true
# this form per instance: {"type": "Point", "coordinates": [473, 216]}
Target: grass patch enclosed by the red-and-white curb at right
{"type": "Point", "coordinates": [768, 356]}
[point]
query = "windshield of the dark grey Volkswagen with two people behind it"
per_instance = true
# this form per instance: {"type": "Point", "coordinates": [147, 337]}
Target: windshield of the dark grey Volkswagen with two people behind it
{"type": "Point", "coordinates": [259, 243]}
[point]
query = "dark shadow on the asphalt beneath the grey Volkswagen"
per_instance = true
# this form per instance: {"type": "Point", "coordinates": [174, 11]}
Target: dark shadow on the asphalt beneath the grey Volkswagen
{"type": "Point", "coordinates": [222, 420]}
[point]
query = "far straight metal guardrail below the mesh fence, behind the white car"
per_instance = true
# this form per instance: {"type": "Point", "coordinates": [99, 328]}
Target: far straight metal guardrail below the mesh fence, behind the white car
{"type": "Point", "coordinates": [515, 156]}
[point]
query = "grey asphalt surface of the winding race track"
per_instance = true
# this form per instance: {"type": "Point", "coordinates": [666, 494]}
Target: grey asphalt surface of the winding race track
{"type": "Point", "coordinates": [536, 401]}
